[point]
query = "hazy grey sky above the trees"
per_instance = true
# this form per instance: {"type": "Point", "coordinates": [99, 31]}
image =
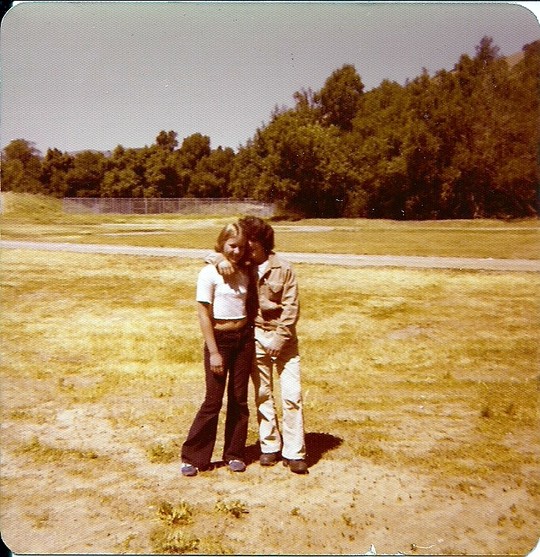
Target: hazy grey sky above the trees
{"type": "Point", "coordinates": [95, 75]}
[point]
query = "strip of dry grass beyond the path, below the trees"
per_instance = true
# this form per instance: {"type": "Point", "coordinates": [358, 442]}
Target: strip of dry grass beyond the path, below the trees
{"type": "Point", "coordinates": [38, 218]}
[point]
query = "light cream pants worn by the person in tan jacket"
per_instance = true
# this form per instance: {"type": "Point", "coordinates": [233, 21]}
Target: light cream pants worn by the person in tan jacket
{"type": "Point", "coordinates": [291, 440]}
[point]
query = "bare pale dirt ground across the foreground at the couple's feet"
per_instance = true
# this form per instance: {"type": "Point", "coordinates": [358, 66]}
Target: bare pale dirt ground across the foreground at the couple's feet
{"type": "Point", "coordinates": [101, 495]}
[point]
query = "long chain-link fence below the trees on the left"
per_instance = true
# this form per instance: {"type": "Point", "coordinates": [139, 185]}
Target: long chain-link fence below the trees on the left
{"type": "Point", "coordinates": [157, 206]}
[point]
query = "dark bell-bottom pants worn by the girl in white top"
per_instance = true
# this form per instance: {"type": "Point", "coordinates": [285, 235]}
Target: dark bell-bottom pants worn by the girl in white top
{"type": "Point", "coordinates": [237, 349]}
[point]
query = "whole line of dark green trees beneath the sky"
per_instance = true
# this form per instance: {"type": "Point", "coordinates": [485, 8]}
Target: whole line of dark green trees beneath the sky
{"type": "Point", "coordinates": [459, 144]}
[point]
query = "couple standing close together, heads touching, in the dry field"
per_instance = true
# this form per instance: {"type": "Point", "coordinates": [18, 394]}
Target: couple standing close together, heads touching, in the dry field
{"type": "Point", "coordinates": [247, 299]}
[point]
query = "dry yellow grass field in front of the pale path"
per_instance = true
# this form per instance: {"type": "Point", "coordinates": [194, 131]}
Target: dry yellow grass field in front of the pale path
{"type": "Point", "coordinates": [421, 402]}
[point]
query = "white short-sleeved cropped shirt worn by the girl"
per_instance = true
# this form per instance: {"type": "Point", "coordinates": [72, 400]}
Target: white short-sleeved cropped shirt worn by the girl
{"type": "Point", "coordinates": [227, 295]}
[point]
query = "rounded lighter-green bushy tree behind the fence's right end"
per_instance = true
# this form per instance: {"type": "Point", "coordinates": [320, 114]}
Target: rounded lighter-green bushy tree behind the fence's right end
{"type": "Point", "coordinates": [296, 162]}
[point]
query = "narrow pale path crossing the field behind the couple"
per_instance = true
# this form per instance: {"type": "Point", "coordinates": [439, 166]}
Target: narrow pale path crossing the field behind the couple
{"type": "Point", "coordinates": [347, 260]}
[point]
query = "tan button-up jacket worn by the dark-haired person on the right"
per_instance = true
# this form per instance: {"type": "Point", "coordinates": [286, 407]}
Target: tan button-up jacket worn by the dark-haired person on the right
{"type": "Point", "coordinates": [279, 307]}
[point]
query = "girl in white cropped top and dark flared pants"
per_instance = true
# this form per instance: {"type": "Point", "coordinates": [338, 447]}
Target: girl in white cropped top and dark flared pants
{"type": "Point", "coordinates": [223, 304]}
